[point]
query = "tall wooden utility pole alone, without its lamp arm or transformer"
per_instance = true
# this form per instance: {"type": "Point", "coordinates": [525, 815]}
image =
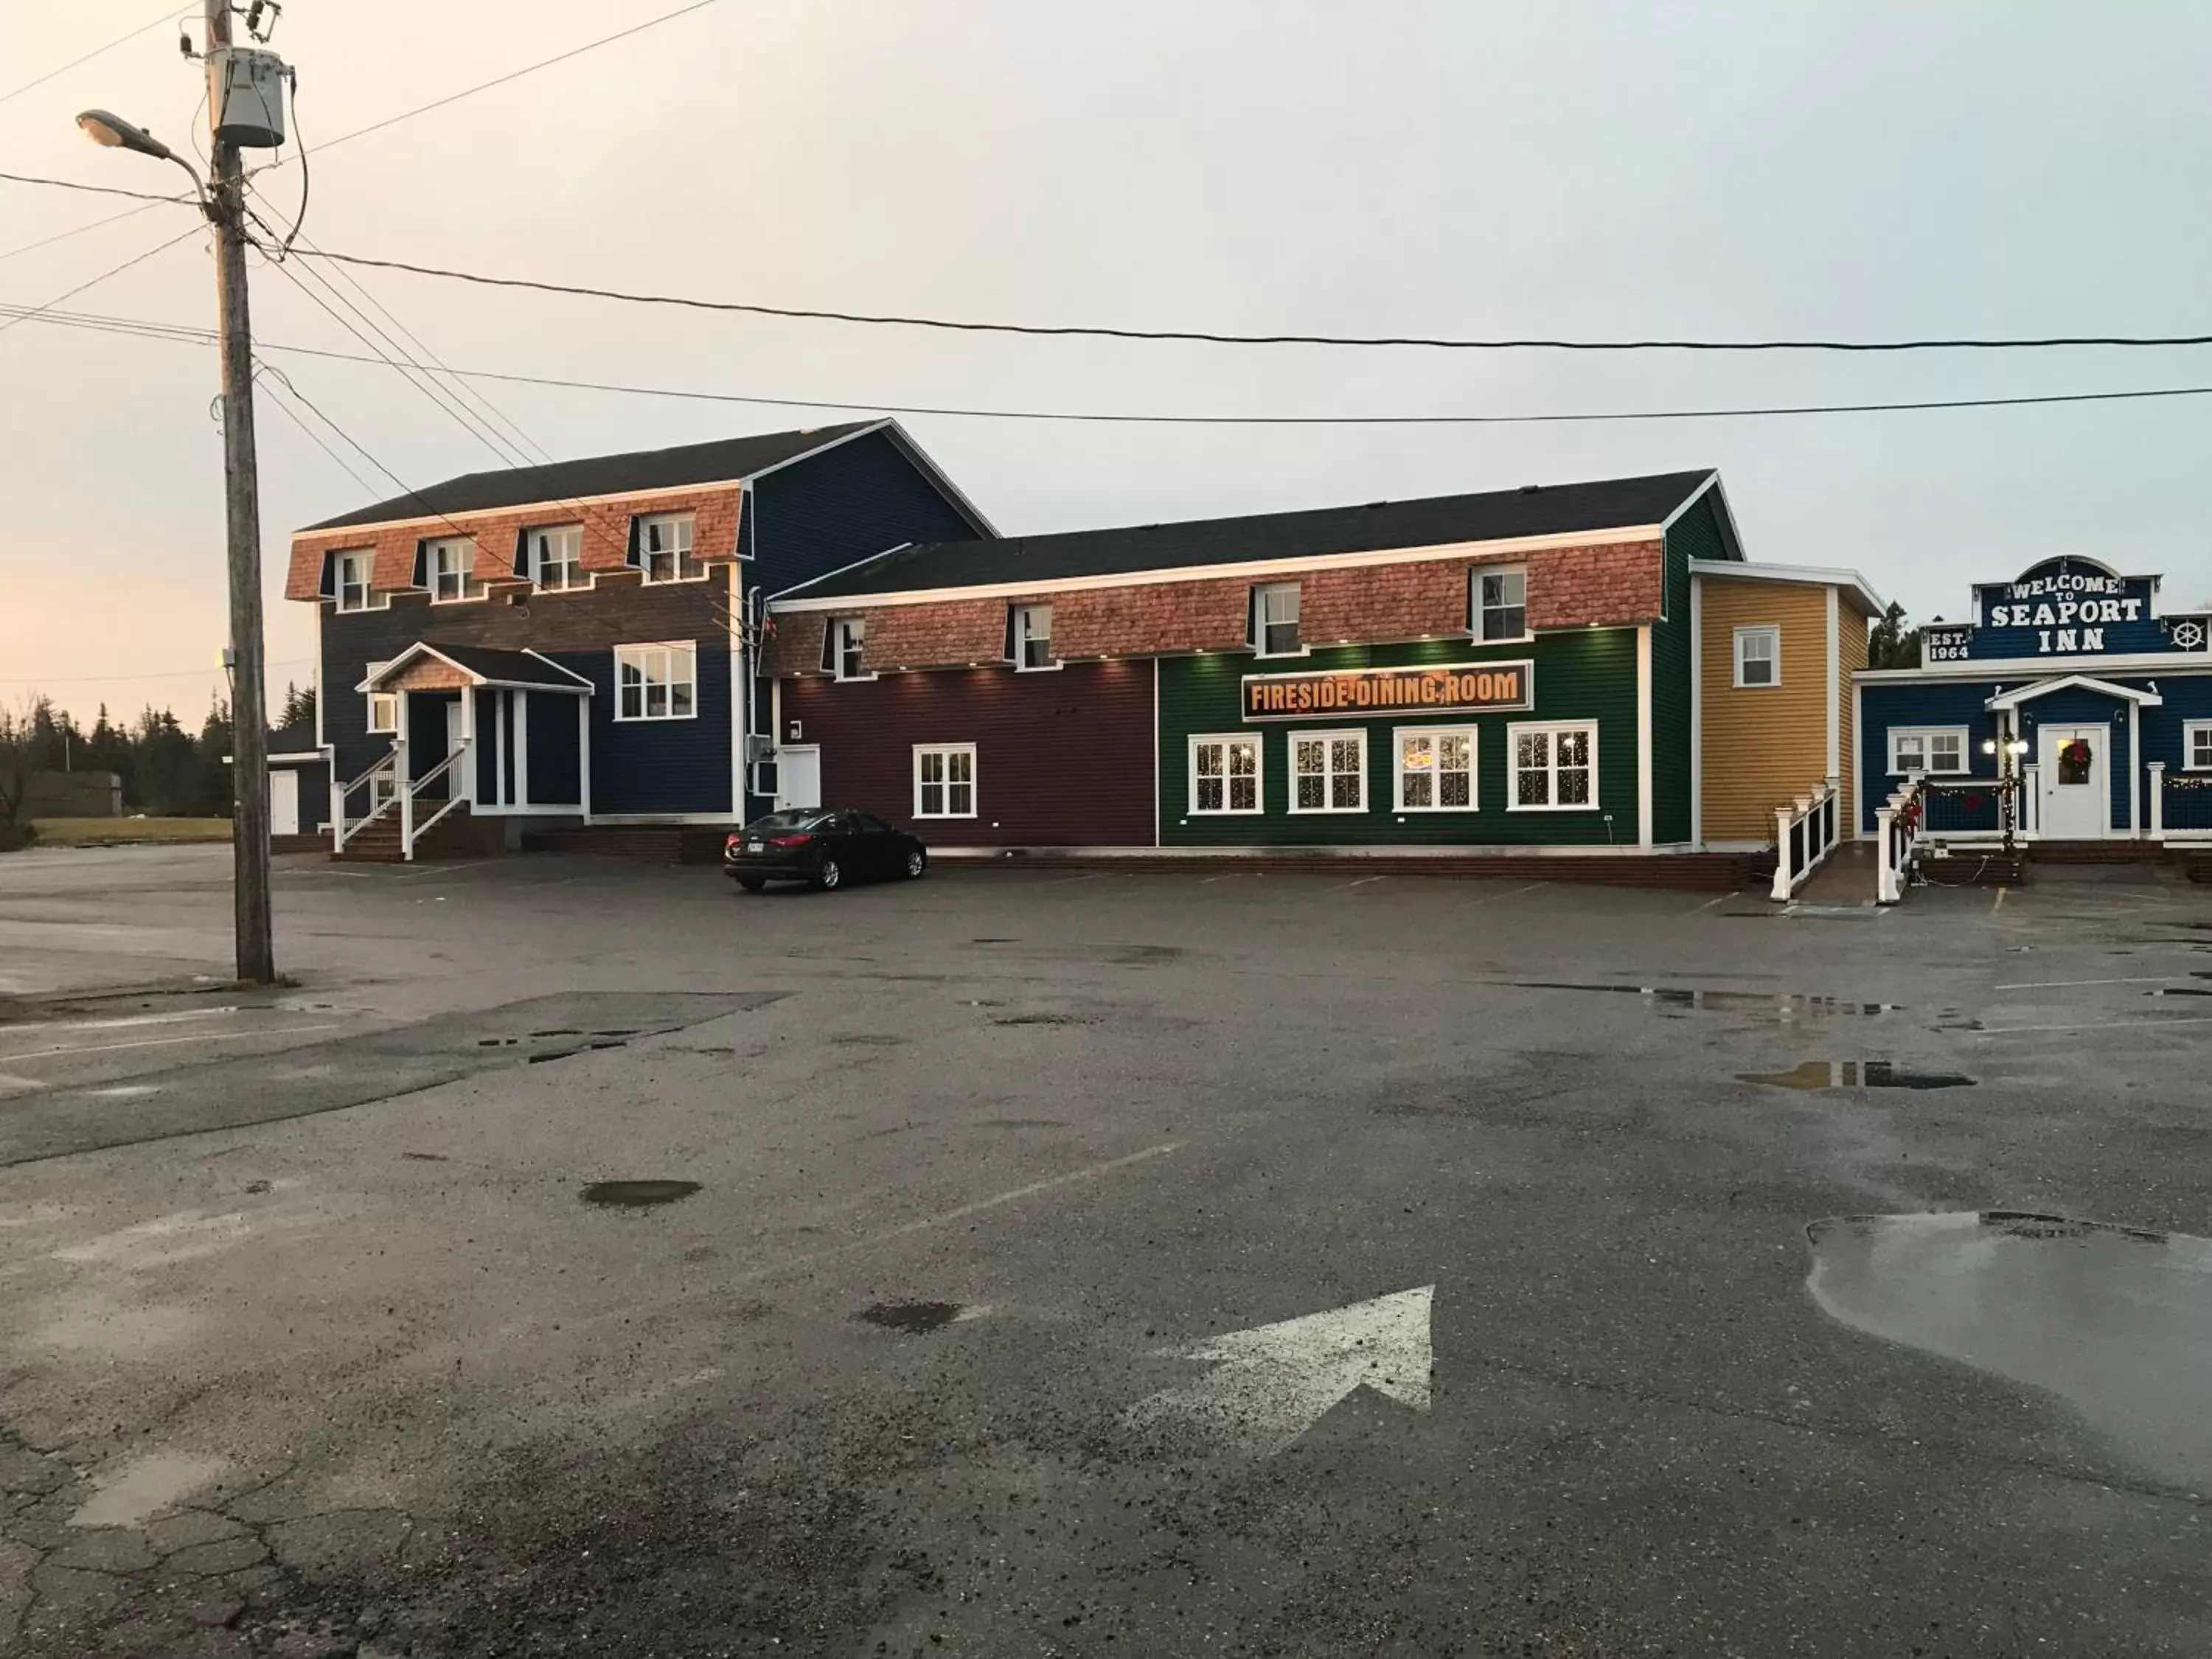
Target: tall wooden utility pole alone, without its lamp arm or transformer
{"type": "Point", "coordinates": [242, 505]}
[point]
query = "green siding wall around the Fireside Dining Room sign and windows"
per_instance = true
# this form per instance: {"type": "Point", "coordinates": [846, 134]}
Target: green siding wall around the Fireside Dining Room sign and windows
{"type": "Point", "coordinates": [1578, 676]}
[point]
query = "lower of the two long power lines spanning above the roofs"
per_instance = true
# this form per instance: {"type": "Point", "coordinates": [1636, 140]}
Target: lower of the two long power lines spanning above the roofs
{"type": "Point", "coordinates": [957, 413]}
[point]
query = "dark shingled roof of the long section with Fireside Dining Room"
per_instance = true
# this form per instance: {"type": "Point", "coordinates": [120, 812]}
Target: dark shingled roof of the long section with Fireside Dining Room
{"type": "Point", "coordinates": [1494, 517]}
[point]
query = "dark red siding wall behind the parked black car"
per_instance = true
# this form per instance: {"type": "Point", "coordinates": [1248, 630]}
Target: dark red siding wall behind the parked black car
{"type": "Point", "coordinates": [1063, 760]}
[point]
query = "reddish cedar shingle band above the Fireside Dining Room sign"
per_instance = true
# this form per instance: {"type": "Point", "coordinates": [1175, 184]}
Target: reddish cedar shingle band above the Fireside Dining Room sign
{"type": "Point", "coordinates": [1603, 585]}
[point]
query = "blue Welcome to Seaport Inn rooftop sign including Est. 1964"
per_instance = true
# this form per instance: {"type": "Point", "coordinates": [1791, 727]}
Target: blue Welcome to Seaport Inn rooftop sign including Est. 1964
{"type": "Point", "coordinates": [2065, 609]}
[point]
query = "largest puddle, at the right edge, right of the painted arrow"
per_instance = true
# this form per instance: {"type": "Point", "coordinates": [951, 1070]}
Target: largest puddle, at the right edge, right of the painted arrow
{"type": "Point", "coordinates": [2116, 1322]}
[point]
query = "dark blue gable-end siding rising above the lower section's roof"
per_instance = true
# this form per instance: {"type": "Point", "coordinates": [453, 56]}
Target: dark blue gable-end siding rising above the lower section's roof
{"type": "Point", "coordinates": [844, 505]}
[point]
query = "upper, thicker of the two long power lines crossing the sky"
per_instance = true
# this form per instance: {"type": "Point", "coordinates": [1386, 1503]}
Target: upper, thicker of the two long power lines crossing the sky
{"type": "Point", "coordinates": [1213, 337]}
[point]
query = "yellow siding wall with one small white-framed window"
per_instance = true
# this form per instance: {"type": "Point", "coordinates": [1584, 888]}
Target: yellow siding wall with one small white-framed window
{"type": "Point", "coordinates": [1762, 747]}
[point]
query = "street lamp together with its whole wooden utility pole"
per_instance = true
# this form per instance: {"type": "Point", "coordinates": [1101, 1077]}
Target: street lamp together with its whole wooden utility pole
{"type": "Point", "coordinates": [242, 477]}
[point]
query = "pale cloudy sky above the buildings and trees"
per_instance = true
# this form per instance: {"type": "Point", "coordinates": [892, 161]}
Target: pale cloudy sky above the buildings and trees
{"type": "Point", "coordinates": [1600, 169]}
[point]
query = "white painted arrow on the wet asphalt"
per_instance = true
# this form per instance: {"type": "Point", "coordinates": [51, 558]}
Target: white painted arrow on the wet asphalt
{"type": "Point", "coordinates": [1275, 1381]}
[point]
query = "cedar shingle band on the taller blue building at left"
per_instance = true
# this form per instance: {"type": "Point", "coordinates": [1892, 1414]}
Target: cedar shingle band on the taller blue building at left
{"type": "Point", "coordinates": [607, 539]}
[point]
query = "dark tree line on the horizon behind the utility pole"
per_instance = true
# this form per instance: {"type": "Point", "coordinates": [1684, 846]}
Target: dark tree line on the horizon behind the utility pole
{"type": "Point", "coordinates": [167, 769]}
